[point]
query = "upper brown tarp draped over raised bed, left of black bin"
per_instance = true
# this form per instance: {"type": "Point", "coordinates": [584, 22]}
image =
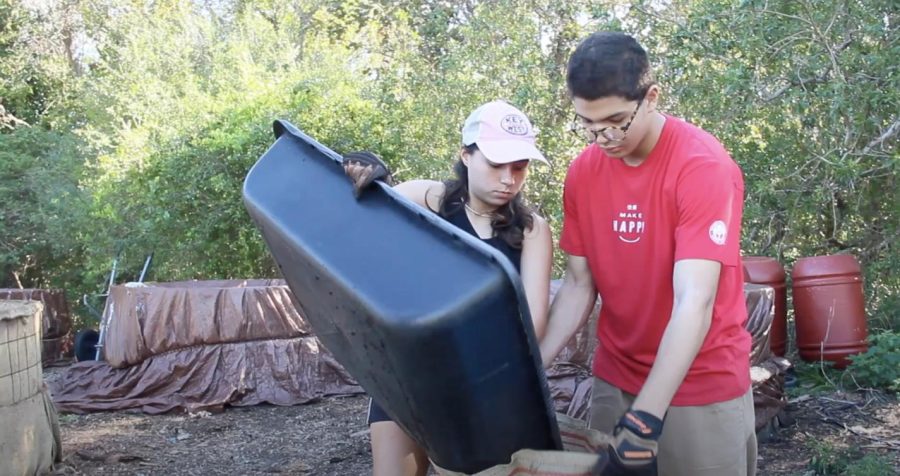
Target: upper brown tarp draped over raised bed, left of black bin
{"type": "Point", "coordinates": [150, 319]}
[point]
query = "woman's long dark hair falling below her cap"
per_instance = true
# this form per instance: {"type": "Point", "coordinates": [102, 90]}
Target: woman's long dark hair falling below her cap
{"type": "Point", "coordinates": [510, 221]}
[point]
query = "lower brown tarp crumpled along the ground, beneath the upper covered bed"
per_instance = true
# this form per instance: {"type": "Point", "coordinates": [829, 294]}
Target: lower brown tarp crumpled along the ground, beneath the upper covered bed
{"type": "Point", "coordinates": [288, 371]}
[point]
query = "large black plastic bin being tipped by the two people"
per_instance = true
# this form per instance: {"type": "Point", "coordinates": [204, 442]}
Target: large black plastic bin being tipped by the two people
{"type": "Point", "coordinates": [432, 323]}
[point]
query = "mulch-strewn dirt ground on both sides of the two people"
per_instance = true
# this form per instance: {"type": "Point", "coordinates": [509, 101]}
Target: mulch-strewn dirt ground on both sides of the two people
{"type": "Point", "coordinates": [330, 438]}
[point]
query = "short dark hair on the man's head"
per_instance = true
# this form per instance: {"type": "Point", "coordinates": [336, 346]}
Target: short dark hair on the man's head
{"type": "Point", "coordinates": [609, 64]}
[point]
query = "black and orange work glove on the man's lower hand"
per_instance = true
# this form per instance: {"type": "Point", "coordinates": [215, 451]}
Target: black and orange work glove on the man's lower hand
{"type": "Point", "coordinates": [632, 451]}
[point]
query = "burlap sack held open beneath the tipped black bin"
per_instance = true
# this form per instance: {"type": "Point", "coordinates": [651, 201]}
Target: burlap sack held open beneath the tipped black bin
{"type": "Point", "coordinates": [581, 445]}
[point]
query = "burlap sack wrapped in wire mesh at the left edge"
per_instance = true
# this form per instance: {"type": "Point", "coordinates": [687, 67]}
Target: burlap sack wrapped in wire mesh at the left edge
{"type": "Point", "coordinates": [29, 429]}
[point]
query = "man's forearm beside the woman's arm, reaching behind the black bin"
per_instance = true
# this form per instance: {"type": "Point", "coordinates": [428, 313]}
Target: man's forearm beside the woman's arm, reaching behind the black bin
{"type": "Point", "coordinates": [570, 310]}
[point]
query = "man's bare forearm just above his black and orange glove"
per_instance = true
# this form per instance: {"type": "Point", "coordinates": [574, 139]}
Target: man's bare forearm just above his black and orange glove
{"type": "Point", "coordinates": [680, 344]}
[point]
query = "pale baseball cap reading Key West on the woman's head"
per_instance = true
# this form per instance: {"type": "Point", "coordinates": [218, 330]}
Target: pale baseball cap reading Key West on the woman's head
{"type": "Point", "coordinates": [502, 133]}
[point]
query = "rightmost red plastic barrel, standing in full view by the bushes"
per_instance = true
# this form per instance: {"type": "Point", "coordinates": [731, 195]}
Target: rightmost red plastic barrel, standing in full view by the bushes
{"type": "Point", "coordinates": [829, 308]}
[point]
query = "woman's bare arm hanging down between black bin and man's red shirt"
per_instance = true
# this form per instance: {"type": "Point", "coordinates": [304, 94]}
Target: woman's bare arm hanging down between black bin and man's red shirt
{"type": "Point", "coordinates": [537, 259]}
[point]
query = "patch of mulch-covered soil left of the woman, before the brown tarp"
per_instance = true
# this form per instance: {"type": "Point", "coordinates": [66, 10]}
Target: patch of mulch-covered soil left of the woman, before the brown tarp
{"type": "Point", "coordinates": [325, 438]}
